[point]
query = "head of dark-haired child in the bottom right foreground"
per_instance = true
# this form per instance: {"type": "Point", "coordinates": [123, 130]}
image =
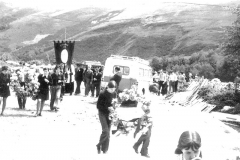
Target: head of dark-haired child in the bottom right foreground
{"type": "Point", "coordinates": [189, 145]}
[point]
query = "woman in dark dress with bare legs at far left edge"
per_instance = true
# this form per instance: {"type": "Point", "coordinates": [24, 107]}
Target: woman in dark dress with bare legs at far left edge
{"type": "Point", "coordinates": [4, 86]}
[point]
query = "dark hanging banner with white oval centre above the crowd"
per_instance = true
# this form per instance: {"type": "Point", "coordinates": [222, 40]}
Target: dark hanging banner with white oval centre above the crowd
{"type": "Point", "coordinates": [61, 49]}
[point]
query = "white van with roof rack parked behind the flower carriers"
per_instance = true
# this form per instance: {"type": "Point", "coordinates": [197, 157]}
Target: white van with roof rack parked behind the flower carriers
{"type": "Point", "coordinates": [133, 69]}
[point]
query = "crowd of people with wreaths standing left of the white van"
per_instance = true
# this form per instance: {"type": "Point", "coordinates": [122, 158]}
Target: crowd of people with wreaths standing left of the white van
{"type": "Point", "coordinates": [53, 83]}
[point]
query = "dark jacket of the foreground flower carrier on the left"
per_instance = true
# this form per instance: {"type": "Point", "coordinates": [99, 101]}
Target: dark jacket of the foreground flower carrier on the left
{"type": "Point", "coordinates": [105, 101]}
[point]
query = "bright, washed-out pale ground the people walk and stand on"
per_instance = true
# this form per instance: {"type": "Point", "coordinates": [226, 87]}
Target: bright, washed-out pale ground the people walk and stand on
{"type": "Point", "coordinates": [73, 132]}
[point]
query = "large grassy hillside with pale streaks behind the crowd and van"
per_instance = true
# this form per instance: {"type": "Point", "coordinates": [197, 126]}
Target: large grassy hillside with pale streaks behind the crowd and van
{"type": "Point", "coordinates": [172, 29]}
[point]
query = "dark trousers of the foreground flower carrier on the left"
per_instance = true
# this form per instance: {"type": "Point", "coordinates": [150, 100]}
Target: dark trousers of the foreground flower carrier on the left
{"type": "Point", "coordinates": [105, 136]}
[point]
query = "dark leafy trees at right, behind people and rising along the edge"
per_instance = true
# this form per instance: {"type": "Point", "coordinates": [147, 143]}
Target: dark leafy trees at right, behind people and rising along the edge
{"type": "Point", "coordinates": [222, 63]}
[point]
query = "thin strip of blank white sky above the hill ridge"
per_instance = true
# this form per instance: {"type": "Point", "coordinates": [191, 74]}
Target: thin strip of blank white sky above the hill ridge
{"type": "Point", "coordinates": [75, 4]}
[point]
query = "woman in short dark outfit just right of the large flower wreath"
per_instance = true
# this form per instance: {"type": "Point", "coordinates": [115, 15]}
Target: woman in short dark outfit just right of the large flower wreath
{"type": "Point", "coordinates": [43, 94]}
